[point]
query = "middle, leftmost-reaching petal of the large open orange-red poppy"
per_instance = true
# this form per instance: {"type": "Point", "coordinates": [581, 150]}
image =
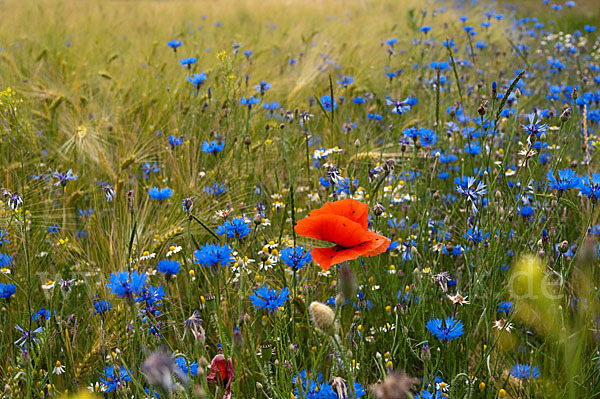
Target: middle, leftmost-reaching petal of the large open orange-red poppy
{"type": "Point", "coordinates": [332, 228]}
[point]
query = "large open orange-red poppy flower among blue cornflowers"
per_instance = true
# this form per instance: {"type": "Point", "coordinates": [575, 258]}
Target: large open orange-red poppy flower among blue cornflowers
{"type": "Point", "coordinates": [345, 224]}
